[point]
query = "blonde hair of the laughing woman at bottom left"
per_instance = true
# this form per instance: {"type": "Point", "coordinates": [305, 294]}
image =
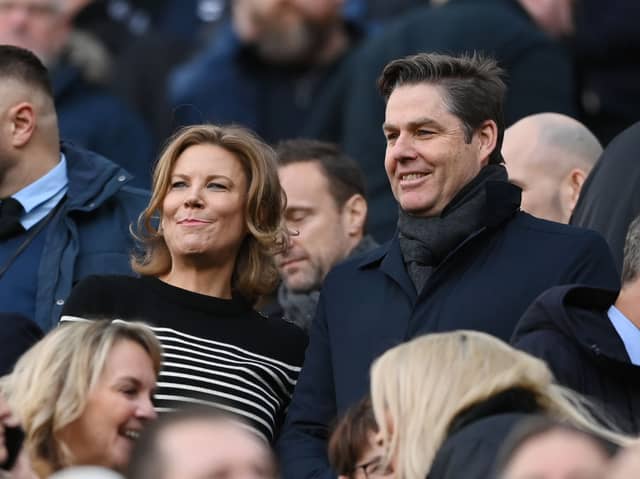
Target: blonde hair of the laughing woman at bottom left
{"type": "Point", "coordinates": [50, 383]}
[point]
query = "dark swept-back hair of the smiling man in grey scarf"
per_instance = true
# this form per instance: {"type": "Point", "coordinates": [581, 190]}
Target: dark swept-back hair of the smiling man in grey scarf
{"type": "Point", "coordinates": [473, 87]}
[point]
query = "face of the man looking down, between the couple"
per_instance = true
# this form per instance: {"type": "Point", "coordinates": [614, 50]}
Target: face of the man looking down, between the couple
{"type": "Point", "coordinates": [322, 238]}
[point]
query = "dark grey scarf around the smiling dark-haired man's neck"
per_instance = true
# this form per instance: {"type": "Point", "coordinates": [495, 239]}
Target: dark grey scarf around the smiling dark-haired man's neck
{"type": "Point", "coordinates": [425, 242]}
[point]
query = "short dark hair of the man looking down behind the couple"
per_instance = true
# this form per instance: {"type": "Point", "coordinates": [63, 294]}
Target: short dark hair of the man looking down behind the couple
{"type": "Point", "coordinates": [343, 174]}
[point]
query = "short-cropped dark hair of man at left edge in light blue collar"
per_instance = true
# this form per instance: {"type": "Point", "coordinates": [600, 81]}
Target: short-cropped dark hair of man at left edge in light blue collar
{"type": "Point", "coordinates": [23, 66]}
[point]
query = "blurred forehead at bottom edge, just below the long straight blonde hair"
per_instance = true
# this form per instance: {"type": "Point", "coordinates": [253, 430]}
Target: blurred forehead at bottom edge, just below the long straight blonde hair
{"type": "Point", "coordinates": [557, 455]}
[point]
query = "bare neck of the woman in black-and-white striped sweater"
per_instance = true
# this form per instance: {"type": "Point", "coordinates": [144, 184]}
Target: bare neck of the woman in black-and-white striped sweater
{"type": "Point", "coordinates": [210, 281]}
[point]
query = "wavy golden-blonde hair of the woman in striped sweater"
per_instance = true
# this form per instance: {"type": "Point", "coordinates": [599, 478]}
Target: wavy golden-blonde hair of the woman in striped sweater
{"type": "Point", "coordinates": [255, 272]}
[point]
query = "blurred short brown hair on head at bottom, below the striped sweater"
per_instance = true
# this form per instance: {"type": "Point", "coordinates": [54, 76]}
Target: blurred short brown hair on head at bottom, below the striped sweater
{"type": "Point", "coordinates": [148, 461]}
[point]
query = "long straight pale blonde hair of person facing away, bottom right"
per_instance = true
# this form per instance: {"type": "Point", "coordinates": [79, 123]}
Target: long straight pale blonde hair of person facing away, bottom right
{"type": "Point", "coordinates": [419, 387]}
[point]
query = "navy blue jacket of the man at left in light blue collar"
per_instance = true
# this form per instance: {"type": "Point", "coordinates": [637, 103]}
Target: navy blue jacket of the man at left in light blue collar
{"type": "Point", "coordinates": [90, 233]}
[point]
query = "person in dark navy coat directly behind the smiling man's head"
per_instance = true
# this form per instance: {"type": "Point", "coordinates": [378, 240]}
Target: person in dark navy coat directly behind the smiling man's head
{"type": "Point", "coordinates": [539, 70]}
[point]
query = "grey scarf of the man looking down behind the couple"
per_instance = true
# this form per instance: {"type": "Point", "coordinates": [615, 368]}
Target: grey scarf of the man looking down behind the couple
{"type": "Point", "coordinates": [300, 308]}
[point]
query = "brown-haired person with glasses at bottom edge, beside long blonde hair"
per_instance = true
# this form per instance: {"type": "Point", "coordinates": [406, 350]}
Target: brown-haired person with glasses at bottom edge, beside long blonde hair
{"type": "Point", "coordinates": [354, 449]}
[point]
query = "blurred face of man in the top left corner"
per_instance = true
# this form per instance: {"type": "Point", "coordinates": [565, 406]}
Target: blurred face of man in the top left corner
{"type": "Point", "coordinates": [37, 25]}
